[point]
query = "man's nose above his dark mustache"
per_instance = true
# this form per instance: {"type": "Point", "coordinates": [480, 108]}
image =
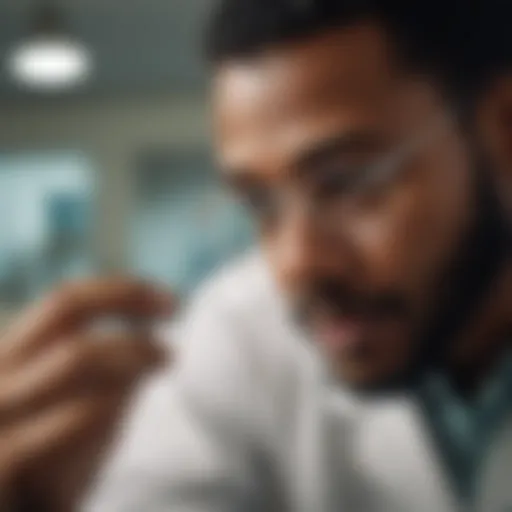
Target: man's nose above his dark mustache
{"type": "Point", "coordinates": [304, 249]}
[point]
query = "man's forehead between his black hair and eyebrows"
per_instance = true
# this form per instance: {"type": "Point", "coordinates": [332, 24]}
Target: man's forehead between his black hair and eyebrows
{"type": "Point", "coordinates": [271, 106]}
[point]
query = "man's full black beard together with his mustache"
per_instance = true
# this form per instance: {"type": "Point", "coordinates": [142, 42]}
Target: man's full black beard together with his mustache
{"type": "Point", "coordinates": [462, 286]}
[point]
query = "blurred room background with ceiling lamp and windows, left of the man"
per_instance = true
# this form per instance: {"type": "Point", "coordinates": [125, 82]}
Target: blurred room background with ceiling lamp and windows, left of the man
{"type": "Point", "coordinates": [105, 162]}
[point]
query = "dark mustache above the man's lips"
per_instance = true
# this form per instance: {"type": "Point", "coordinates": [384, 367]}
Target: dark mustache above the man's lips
{"type": "Point", "coordinates": [340, 299]}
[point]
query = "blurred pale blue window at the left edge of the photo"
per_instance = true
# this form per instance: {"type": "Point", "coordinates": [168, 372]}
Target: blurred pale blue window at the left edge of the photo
{"type": "Point", "coordinates": [46, 206]}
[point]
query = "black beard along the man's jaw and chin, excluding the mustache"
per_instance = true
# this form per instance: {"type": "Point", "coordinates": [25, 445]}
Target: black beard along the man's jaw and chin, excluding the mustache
{"type": "Point", "coordinates": [464, 284]}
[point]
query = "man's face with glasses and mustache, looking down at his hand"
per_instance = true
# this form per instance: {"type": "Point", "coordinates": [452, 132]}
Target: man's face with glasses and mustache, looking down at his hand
{"type": "Point", "coordinates": [360, 252]}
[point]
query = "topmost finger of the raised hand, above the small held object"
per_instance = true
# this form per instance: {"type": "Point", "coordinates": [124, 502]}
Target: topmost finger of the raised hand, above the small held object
{"type": "Point", "coordinates": [75, 303]}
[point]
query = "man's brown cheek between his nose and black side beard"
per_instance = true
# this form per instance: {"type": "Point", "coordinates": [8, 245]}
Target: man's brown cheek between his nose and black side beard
{"type": "Point", "coordinates": [408, 236]}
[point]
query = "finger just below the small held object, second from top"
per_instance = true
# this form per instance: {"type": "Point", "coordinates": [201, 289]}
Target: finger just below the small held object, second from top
{"type": "Point", "coordinates": [76, 366]}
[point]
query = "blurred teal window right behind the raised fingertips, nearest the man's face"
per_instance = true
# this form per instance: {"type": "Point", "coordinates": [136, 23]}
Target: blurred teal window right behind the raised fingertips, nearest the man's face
{"type": "Point", "coordinates": [186, 225]}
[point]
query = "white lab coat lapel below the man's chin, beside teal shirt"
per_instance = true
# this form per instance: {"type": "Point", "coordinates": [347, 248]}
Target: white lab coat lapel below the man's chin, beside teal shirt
{"type": "Point", "coordinates": [398, 461]}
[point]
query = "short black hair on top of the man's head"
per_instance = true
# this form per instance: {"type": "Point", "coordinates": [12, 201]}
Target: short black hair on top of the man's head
{"type": "Point", "coordinates": [436, 36]}
